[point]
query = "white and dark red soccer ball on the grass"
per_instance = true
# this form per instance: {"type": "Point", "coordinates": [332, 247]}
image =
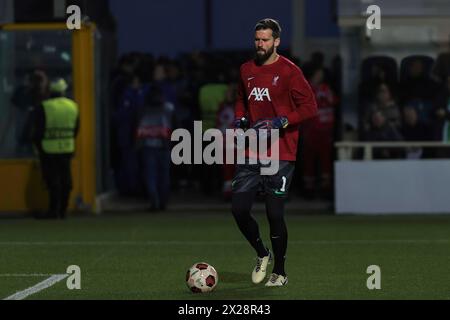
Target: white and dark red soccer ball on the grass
{"type": "Point", "coordinates": [201, 278]}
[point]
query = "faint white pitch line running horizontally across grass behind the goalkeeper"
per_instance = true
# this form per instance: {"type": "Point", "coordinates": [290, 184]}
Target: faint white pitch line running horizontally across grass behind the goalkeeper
{"type": "Point", "coordinates": [231, 242]}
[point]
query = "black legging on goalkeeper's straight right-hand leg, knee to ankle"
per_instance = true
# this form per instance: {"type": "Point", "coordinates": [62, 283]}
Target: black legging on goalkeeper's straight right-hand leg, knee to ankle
{"type": "Point", "coordinates": [278, 232]}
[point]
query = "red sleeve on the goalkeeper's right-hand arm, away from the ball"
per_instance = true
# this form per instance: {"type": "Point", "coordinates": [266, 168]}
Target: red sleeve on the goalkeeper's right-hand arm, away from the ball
{"type": "Point", "coordinates": [303, 98]}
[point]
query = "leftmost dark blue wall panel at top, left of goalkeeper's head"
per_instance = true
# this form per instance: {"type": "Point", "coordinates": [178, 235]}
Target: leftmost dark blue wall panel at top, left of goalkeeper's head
{"type": "Point", "coordinates": [159, 26]}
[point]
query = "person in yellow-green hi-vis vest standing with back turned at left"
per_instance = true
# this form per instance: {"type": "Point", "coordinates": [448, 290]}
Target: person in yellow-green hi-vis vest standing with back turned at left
{"type": "Point", "coordinates": [55, 126]}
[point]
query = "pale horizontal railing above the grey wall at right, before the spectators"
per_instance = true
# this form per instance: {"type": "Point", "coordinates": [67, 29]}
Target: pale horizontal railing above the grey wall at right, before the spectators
{"type": "Point", "coordinates": [345, 148]}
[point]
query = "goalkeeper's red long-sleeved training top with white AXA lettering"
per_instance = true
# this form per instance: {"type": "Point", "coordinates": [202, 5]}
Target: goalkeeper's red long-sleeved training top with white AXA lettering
{"type": "Point", "coordinates": [275, 90]}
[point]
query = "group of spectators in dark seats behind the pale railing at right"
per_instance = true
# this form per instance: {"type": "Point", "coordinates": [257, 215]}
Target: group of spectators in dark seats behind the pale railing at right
{"type": "Point", "coordinates": [414, 106]}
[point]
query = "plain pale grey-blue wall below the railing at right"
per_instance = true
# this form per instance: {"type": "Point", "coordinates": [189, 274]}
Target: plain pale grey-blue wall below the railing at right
{"type": "Point", "coordinates": [392, 186]}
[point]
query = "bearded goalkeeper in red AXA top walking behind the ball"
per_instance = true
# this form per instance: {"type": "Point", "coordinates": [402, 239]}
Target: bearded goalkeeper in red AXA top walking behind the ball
{"type": "Point", "coordinates": [274, 89]}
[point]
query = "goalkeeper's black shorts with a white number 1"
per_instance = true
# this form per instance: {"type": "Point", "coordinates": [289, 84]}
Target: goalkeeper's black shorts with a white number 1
{"type": "Point", "coordinates": [248, 178]}
